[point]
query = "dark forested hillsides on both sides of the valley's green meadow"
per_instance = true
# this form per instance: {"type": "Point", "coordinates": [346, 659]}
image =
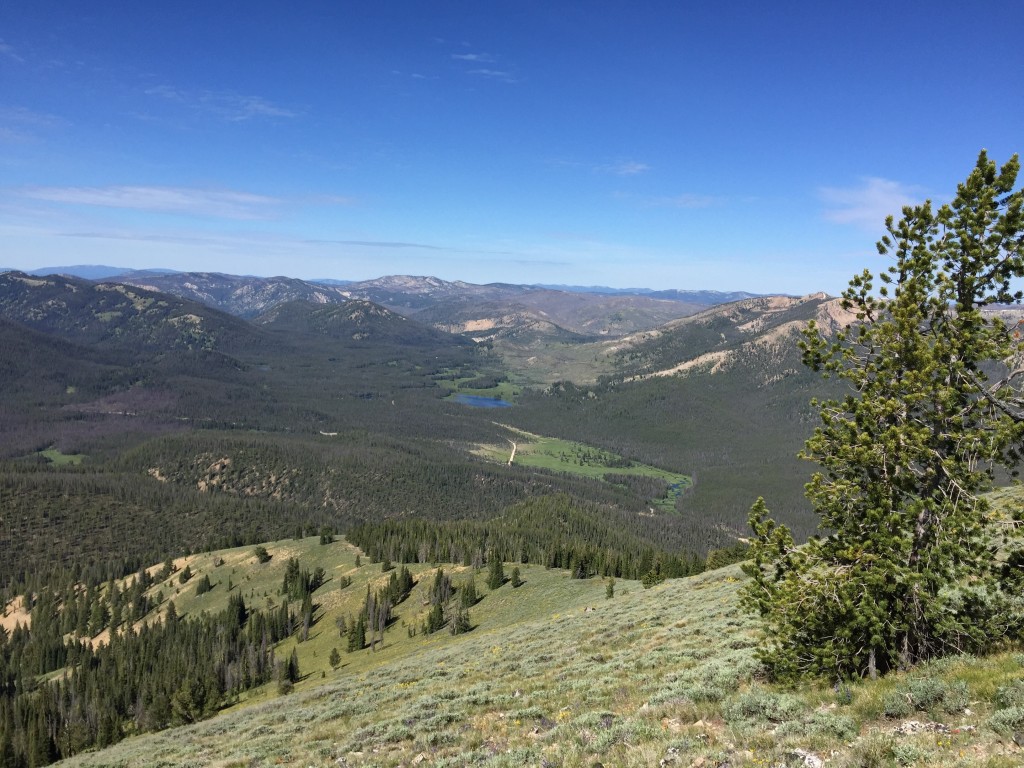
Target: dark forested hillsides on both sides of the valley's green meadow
{"type": "Point", "coordinates": [338, 415]}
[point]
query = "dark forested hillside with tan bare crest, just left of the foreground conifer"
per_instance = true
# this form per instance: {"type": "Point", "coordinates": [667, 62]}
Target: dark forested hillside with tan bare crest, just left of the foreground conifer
{"type": "Point", "coordinates": [722, 395]}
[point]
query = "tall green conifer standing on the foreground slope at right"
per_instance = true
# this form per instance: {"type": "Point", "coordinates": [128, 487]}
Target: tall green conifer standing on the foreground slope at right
{"type": "Point", "coordinates": [907, 571]}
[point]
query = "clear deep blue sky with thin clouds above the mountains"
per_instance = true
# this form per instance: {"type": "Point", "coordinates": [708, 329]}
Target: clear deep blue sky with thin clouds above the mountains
{"type": "Point", "coordinates": [730, 146]}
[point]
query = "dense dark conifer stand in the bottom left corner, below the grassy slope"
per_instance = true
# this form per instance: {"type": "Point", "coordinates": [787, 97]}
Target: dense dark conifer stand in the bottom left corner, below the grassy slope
{"type": "Point", "coordinates": [170, 672]}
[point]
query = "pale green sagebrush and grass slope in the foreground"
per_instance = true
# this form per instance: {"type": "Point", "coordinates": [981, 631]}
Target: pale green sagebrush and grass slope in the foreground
{"type": "Point", "coordinates": [556, 674]}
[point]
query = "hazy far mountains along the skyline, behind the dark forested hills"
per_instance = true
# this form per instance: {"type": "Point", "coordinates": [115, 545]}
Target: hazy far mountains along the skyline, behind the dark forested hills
{"type": "Point", "coordinates": [519, 319]}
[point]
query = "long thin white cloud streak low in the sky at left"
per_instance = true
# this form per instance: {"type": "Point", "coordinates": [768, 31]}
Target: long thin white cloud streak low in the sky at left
{"type": "Point", "coordinates": [207, 203]}
